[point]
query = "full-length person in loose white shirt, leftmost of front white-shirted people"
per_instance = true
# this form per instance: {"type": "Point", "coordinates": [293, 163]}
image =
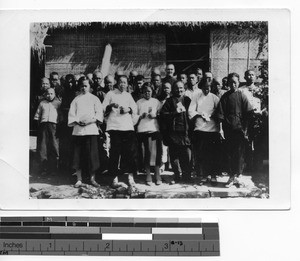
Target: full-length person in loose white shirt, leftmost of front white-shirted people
{"type": "Point", "coordinates": [84, 115]}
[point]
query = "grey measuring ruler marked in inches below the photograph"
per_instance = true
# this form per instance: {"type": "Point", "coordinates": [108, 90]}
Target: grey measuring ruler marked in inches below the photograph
{"type": "Point", "coordinates": [108, 236]}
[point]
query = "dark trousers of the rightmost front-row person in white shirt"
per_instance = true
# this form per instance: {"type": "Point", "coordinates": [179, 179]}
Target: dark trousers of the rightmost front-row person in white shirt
{"type": "Point", "coordinates": [206, 145]}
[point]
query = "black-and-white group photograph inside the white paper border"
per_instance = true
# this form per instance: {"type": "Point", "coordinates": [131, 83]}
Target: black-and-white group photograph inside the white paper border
{"type": "Point", "coordinates": [149, 110]}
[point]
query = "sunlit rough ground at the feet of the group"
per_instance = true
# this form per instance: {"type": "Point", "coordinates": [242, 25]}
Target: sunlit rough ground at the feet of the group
{"type": "Point", "coordinates": [60, 184]}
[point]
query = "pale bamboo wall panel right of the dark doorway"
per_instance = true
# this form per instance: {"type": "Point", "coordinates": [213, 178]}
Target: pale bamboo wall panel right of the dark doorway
{"type": "Point", "coordinates": [235, 50]}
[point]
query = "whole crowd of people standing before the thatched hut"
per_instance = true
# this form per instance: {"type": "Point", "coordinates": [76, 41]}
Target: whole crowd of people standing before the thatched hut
{"type": "Point", "coordinates": [209, 125]}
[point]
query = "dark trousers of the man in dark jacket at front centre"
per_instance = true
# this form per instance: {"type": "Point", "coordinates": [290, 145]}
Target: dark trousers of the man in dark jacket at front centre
{"type": "Point", "coordinates": [180, 156]}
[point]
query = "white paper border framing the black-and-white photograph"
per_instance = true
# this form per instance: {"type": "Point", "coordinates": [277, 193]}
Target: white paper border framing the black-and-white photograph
{"type": "Point", "coordinates": [14, 109]}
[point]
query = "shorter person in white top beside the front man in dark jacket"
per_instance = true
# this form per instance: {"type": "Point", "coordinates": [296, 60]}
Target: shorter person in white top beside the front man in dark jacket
{"type": "Point", "coordinates": [148, 131]}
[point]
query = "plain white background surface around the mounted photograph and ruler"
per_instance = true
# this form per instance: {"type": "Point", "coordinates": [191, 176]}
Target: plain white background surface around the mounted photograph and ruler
{"type": "Point", "coordinates": [245, 235]}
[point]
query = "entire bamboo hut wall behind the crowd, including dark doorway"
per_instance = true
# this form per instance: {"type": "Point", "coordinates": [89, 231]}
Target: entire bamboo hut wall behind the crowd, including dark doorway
{"type": "Point", "coordinates": [81, 51]}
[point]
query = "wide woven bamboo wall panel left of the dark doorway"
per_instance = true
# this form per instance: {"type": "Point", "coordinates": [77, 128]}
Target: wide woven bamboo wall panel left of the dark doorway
{"type": "Point", "coordinates": [81, 51]}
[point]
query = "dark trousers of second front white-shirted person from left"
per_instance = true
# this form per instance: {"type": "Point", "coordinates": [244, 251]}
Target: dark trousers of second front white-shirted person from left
{"type": "Point", "coordinates": [123, 150]}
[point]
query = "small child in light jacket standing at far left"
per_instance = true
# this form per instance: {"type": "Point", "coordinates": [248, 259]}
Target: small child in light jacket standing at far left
{"type": "Point", "coordinates": [47, 115]}
